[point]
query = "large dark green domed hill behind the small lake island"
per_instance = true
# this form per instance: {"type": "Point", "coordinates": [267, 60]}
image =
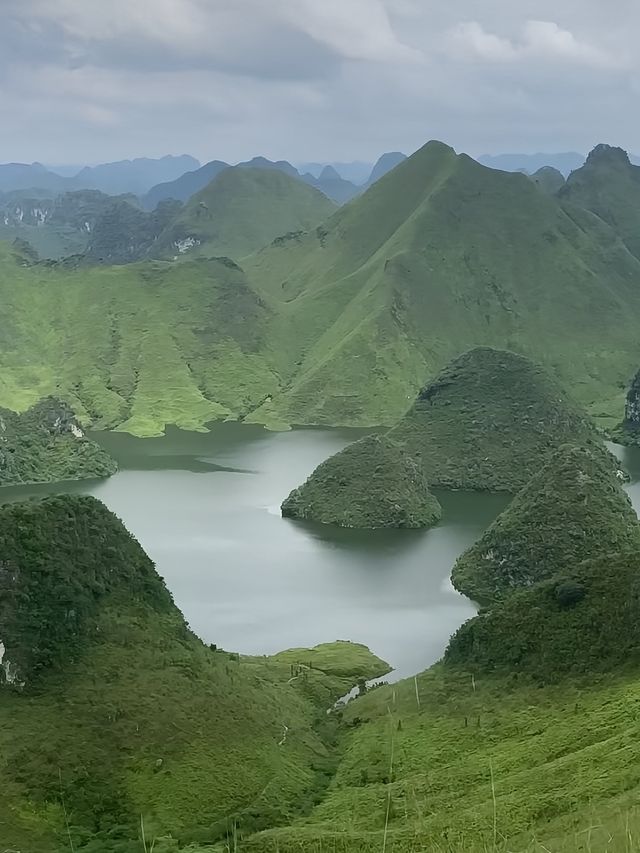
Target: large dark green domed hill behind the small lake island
{"type": "Point", "coordinates": [489, 421]}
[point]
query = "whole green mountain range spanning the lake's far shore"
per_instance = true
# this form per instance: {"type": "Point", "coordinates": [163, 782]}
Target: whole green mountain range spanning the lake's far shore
{"type": "Point", "coordinates": [341, 321]}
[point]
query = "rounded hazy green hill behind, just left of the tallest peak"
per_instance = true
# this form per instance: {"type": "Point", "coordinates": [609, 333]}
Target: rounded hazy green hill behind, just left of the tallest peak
{"type": "Point", "coordinates": [240, 211]}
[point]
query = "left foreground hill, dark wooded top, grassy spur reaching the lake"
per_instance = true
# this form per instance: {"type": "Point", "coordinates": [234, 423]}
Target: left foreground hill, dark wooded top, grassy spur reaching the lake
{"type": "Point", "coordinates": [143, 734]}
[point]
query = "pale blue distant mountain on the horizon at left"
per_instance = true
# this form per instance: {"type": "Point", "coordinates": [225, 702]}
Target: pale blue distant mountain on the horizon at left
{"type": "Point", "coordinates": [134, 176]}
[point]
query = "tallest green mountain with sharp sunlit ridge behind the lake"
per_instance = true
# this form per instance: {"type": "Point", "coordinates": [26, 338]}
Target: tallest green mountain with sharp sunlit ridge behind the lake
{"type": "Point", "coordinates": [439, 255]}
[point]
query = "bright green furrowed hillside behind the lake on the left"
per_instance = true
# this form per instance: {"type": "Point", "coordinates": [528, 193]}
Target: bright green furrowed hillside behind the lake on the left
{"type": "Point", "coordinates": [135, 347]}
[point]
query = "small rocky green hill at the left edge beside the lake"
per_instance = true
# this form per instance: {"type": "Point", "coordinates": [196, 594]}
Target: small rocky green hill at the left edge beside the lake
{"type": "Point", "coordinates": [46, 444]}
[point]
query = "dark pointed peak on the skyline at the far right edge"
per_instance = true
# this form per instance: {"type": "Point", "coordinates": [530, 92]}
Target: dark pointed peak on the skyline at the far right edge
{"type": "Point", "coordinates": [609, 186]}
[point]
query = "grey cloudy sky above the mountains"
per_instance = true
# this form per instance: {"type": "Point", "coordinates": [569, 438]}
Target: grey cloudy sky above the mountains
{"type": "Point", "coordinates": [93, 80]}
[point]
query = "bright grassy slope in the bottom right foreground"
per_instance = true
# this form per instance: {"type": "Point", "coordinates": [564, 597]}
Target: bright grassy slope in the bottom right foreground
{"type": "Point", "coordinates": [446, 763]}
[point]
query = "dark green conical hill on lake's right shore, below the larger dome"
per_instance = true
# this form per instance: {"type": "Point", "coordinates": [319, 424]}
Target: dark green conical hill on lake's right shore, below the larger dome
{"type": "Point", "coordinates": [572, 510]}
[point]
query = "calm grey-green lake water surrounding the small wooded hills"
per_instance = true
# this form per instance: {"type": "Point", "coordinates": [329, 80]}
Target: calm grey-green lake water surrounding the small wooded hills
{"type": "Point", "coordinates": [206, 508]}
